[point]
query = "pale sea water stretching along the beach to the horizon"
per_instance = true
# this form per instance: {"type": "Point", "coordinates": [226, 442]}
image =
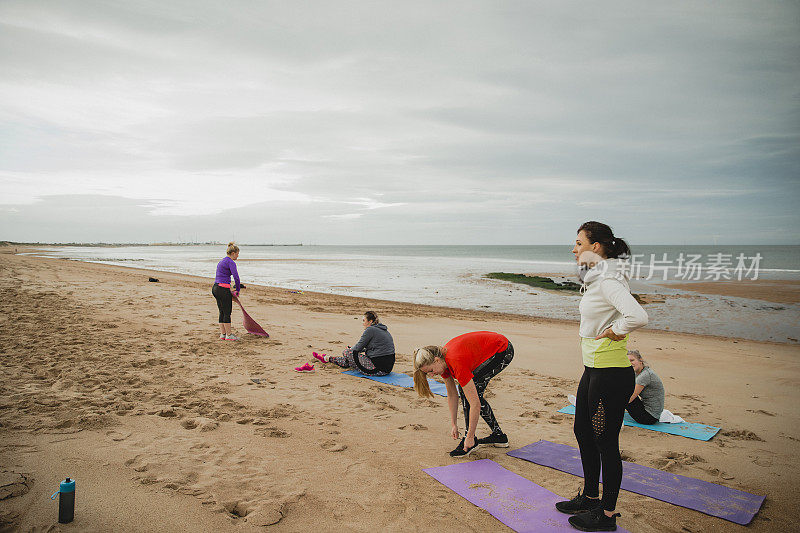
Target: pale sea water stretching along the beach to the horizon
{"type": "Point", "coordinates": [454, 276]}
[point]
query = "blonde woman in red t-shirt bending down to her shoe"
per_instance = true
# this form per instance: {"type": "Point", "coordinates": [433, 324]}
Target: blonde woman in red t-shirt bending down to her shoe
{"type": "Point", "coordinates": [471, 359]}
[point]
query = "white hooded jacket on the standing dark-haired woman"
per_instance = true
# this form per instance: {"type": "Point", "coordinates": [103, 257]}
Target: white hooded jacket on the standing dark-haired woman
{"type": "Point", "coordinates": [607, 301]}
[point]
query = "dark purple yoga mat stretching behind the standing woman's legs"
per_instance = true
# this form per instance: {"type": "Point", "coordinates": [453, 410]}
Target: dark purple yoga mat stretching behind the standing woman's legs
{"type": "Point", "coordinates": [715, 500]}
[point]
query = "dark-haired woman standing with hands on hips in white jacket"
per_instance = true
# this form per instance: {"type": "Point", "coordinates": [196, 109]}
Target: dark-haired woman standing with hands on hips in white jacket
{"type": "Point", "coordinates": [608, 314]}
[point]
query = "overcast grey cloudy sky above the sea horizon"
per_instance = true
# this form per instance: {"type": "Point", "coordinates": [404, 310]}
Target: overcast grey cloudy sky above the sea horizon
{"type": "Point", "coordinates": [378, 122]}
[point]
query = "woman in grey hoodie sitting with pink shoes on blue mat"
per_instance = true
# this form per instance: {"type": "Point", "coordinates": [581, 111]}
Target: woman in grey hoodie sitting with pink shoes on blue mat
{"type": "Point", "coordinates": [372, 355]}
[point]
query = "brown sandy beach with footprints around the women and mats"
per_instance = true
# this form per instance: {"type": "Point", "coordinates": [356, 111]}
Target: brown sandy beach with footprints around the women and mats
{"type": "Point", "coordinates": [123, 385]}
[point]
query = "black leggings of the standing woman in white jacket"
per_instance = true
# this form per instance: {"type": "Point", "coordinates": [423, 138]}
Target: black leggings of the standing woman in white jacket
{"type": "Point", "coordinates": [603, 394]}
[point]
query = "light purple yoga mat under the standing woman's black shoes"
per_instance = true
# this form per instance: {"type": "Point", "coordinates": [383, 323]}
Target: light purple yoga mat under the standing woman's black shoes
{"type": "Point", "coordinates": [517, 502]}
